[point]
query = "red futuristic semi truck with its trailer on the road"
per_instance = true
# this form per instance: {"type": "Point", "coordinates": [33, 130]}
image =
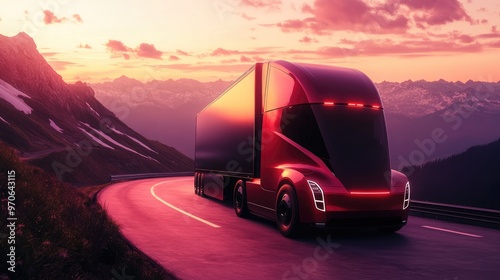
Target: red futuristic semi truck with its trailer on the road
{"type": "Point", "coordinates": [301, 144]}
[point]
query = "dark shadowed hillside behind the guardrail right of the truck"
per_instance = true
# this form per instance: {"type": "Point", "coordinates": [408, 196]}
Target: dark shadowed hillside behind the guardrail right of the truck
{"type": "Point", "coordinates": [471, 178]}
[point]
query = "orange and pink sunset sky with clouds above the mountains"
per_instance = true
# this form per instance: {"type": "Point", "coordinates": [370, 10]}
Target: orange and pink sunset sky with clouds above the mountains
{"type": "Point", "coordinates": [95, 41]}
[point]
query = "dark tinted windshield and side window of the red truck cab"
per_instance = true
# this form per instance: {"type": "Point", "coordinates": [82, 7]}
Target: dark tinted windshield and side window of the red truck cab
{"type": "Point", "coordinates": [351, 141]}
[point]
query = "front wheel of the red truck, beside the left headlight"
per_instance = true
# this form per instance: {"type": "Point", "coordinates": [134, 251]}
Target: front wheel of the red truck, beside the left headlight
{"type": "Point", "coordinates": [287, 212]}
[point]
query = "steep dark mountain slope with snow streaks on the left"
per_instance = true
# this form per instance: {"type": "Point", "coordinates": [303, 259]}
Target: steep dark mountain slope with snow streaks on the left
{"type": "Point", "coordinates": [64, 129]}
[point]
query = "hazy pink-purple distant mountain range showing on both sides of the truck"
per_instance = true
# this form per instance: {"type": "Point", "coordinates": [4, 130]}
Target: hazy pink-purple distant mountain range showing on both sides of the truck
{"type": "Point", "coordinates": [467, 114]}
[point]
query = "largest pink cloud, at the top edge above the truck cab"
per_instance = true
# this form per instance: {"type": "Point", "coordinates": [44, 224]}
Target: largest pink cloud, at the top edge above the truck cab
{"type": "Point", "coordinates": [393, 17]}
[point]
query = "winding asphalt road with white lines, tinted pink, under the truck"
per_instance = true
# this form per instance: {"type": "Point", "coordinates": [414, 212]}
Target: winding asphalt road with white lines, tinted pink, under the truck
{"type": "Point", "coordinates": [202, 238]}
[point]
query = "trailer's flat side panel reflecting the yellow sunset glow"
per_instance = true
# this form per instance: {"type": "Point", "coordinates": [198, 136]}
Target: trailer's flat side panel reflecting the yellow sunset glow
{"type": "Point", "coordinates": [225, 131]}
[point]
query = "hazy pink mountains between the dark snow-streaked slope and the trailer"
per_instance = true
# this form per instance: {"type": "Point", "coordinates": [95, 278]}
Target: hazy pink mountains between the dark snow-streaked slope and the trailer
{"type": "Point", "coordinates": [167, 107]}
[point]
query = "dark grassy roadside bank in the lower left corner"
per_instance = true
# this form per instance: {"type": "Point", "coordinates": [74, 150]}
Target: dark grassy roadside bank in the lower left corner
{"type": "Point", "coordinates": [62, 233]}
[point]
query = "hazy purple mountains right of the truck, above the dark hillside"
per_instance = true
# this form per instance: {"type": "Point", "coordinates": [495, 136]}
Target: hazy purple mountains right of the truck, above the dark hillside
{"type": "Point", "coordinates": [466, 114]}
